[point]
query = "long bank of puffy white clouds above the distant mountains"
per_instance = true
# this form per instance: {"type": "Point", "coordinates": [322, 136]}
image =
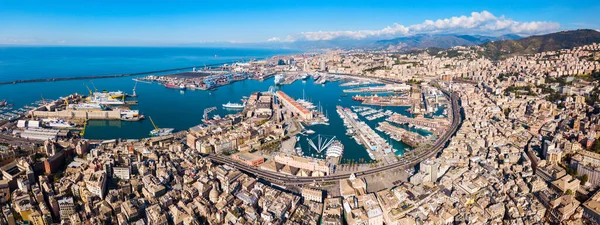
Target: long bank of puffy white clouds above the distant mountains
{"type": "Point", "coordinates": [484, 23]}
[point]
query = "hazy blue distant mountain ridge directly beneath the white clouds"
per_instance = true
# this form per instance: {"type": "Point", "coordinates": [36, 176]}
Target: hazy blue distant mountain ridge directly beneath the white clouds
{"type": "Point", "coordinates": [420, 41]}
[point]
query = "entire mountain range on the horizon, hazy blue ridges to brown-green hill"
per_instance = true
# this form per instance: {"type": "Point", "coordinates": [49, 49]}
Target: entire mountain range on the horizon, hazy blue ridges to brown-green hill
{"type": "Point", "coordinates": [493, 47]}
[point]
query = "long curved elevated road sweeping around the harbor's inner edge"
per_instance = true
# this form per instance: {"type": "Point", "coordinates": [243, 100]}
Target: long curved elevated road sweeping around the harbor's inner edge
{"type": "Point", "coordinates": [407, 161]}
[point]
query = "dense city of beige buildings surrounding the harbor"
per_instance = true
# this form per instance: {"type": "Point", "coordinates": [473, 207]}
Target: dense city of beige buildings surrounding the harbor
{"type": "Point", "coordinates": [520, 146]}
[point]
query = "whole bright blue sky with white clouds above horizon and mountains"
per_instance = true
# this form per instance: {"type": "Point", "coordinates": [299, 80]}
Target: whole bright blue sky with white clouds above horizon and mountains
{"type": "Point", "coordinates": [172, 23]}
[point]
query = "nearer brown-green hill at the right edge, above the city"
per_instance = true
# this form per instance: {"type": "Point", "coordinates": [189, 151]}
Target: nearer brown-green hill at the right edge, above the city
{"type": "Point", "coordinates": [541, 43]}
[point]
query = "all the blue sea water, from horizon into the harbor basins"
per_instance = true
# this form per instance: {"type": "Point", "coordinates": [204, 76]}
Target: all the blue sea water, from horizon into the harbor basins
{"type": "Point", "coordinates": [169, 108]}
